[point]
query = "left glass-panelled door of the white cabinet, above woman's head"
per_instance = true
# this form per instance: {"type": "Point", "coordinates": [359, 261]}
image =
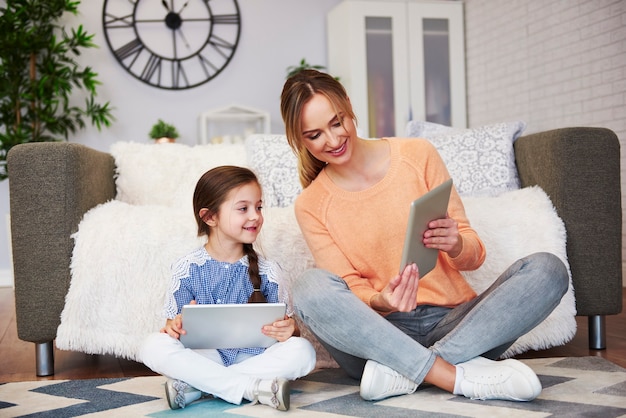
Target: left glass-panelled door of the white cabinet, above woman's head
{"type": "Point", "coordinates": [367, 50]}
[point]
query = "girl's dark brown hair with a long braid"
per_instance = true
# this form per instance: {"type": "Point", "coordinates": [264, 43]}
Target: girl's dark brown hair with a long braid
{"type": "Point", "coordinates": [211, 191]}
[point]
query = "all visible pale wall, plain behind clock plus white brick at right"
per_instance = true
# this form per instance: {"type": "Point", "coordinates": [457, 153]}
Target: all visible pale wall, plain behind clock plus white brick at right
{"type": "Point", "coordinates": [551, 63]}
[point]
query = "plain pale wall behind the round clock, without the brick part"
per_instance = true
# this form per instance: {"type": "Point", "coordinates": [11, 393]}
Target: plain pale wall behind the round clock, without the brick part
{"type": "Point", "coordinates": [275, 34]}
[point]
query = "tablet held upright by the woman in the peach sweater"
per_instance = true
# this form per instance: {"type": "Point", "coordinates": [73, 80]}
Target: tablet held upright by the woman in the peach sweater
{"type": "Point", "coordinates": [433, 205]}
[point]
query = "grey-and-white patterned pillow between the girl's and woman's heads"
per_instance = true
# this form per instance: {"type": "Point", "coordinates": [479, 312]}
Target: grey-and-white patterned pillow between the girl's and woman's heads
{"type": "Point", "coordinates": [276, 166]}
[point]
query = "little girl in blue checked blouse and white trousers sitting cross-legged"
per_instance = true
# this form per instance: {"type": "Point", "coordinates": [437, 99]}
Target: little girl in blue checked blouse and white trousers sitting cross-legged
{"type": "Point", "coordinates": [227, 207]}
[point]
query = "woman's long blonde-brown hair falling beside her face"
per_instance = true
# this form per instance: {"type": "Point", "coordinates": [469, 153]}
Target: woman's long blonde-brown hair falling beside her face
{"type": "Point", "coordinates": [297, 91]}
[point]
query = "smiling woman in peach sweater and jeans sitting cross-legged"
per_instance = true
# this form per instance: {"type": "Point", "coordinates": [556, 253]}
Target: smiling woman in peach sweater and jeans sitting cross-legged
{"type": "Point", "coordinates": [396, 330]}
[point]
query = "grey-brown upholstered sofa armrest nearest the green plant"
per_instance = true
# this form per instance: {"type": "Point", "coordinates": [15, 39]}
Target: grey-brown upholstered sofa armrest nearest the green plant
{"type": "Point", "coordinates": [51, 186]}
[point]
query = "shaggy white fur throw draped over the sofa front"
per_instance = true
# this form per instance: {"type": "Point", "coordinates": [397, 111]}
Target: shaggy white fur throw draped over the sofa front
{"type": "Point", "coordinates": [120, 265]}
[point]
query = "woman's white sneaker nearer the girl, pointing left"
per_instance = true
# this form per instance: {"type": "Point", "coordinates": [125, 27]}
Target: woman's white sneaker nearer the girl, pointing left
{"type": "Point", "coordinates": [380, 382]}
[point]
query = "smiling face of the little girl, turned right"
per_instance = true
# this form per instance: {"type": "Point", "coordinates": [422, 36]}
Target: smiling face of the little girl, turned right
{"type": "Point", "coordinates": [239, 218]}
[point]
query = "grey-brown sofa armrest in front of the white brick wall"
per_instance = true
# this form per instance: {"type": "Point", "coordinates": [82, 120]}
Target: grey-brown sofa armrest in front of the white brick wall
{"type": "Point", "coordinates": [579, 168]}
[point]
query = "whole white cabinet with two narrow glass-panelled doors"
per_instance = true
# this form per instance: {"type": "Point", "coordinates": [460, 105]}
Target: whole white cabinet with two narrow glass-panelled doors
{"type": "Point", "coordinates": [399, 60]}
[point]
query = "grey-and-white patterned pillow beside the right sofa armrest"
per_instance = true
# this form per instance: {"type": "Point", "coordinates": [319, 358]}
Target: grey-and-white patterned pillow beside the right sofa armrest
{"type": "Point", "coordinates": [480, 160]}
